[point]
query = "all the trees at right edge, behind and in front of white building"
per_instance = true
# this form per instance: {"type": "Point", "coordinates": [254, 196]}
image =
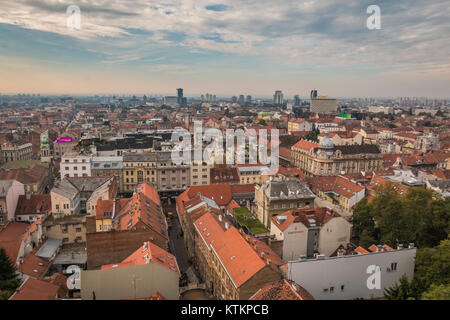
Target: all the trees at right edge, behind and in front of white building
{"type": "Point", "coordinates": [421, 217]}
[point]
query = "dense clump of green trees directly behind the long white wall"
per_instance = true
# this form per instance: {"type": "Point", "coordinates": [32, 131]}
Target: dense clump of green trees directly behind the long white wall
{"type": "Point", "coordinates": [418, 216]}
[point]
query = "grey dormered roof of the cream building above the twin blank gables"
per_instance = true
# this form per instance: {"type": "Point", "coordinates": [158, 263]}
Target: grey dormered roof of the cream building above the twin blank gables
{"type": "Point", "coordinates": [287, 189]}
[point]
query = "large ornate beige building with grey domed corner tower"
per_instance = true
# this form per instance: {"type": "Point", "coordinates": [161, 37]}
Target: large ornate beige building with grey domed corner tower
{"type": "Point", "coordinates": [325, 159]}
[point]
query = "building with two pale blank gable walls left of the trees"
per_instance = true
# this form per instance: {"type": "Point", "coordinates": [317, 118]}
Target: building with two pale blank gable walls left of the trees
{"type": "Point", "coordinates": [305, 232]}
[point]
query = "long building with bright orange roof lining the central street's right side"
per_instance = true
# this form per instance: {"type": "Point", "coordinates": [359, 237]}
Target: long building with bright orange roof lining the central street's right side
{"type": "Point", "coordinates": [233, 265]}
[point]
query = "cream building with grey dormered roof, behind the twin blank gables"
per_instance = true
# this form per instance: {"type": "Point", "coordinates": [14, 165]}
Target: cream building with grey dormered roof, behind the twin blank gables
{"type": "Point", "coordinates": [278, 195]}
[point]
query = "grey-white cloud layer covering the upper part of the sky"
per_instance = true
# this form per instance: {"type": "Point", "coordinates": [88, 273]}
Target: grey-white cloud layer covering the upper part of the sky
{"type": "Point", "coordinates": [415, 34]}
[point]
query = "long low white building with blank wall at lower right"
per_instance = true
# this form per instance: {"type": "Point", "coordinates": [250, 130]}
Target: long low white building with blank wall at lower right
{"type": "Point", "coordinates": [353, 276]}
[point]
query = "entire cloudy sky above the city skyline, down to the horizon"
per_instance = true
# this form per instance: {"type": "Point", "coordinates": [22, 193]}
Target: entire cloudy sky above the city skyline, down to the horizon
{"type": "Point", "coordinates": [226, 47]}
